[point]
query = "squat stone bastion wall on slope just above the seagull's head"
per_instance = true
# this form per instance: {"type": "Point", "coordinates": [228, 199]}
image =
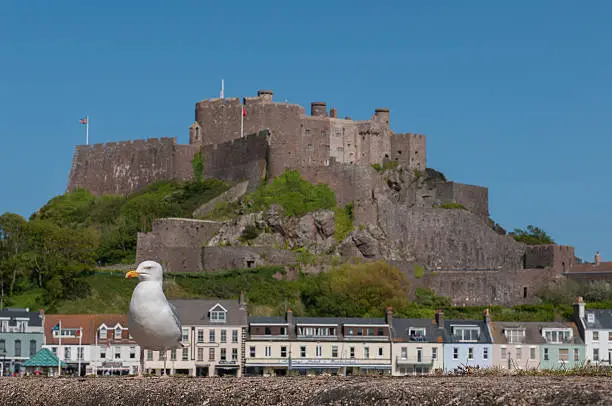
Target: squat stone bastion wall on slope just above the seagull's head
{"type": "Point", "coordinates": [176, 243]}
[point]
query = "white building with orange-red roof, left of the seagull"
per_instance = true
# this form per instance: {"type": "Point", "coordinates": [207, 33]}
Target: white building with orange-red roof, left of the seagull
{"type": "Point", "coordinates": [92, 343]}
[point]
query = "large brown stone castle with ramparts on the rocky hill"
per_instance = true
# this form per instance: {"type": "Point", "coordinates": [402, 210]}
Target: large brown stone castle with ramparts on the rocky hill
{"type": "Point", "coordinates": [398, 214]}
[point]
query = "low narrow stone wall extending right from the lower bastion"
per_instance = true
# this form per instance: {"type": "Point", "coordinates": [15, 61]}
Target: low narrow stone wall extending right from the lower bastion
{"type": "Point", "coordinates": [225, 258]}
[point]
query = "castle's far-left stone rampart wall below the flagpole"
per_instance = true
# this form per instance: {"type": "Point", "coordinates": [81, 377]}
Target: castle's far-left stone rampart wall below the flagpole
{"type": "Point", "coordinates": [124, 167]}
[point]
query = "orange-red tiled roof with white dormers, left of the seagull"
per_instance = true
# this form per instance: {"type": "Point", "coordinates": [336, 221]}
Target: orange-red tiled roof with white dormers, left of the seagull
{"type": "Point", "coordinates": [90, 324]}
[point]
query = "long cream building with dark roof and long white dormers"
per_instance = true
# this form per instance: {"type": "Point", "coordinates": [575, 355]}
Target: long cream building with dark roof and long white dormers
{"type": "Point", "coordinates": [301, 345]}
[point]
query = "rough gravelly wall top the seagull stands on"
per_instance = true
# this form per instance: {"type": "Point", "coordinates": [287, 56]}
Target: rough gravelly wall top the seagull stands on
{"type": "Point", "coordinates": [297, 391]}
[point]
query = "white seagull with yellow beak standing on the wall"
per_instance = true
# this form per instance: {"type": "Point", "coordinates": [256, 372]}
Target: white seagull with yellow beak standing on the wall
{"type": "Point", "coordinates": [152, 320]}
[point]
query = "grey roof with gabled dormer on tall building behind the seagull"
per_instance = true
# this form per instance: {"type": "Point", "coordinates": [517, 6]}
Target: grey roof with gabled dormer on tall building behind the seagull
{"type": "Point", "coordinates": [195, 312]}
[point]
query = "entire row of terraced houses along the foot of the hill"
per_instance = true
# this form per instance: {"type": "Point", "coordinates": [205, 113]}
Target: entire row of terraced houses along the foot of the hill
{"type": "Point", "coordinates": [223, 340]}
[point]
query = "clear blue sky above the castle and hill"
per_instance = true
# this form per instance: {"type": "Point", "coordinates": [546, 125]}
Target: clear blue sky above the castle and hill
{"type": "Point", "coordinates": [515, 96]}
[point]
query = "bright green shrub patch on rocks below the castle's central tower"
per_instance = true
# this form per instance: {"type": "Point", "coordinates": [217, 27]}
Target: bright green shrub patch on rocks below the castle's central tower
{"type": "Point", "coordinates": [295, 195]}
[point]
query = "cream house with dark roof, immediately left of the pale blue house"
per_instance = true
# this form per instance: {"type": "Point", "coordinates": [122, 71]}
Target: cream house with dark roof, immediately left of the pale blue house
{"type": "Point", "coordinates": [417, 347]}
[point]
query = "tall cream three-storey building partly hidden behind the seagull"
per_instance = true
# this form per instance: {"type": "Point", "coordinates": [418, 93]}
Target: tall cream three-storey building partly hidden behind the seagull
{"type": "Point", "coordinates": [214, 331]}
